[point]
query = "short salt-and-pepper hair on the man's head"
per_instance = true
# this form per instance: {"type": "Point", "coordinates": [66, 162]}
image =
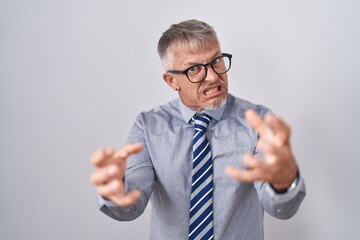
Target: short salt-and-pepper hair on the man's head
{"type": "Point", "coordinates": [192, 34]}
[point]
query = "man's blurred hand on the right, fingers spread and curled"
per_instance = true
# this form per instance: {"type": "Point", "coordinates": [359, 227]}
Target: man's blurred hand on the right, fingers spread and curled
{"type": "Point", "coordinates": [279, 167]}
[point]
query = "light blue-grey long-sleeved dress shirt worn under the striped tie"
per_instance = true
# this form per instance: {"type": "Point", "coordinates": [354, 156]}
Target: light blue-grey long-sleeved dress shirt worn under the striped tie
{"type": "Point", "coordinates": [163, 174]}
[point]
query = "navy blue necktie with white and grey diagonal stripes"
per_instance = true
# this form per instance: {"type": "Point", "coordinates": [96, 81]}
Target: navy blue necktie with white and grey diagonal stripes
{"type": "Point", "coordinates": [201, 208]}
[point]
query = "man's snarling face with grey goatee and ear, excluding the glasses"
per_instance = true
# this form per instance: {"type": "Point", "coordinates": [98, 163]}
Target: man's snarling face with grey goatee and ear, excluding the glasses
{"type": "Point", "coordinates": [208, 94]}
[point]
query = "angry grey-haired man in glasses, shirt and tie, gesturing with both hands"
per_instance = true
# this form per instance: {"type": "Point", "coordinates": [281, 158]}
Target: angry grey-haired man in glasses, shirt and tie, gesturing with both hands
{"type": "Point", "coordinates": [211, 162]}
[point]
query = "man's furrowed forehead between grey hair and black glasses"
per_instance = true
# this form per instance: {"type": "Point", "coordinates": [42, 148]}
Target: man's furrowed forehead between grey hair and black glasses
{"type": "Point", "coordinates": [183, 55]}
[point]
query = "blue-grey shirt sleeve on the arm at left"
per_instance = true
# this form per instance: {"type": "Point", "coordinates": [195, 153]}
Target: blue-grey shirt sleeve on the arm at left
{"type": "Point", "coordinates": [139, 175]}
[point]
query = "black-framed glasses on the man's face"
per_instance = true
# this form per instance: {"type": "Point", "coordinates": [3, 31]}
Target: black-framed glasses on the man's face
{"type": "Point", "coordinates": [198, 72]}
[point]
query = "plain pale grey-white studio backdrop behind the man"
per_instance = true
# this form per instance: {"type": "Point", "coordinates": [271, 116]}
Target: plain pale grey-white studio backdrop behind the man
{"type": "Point", "coordinates": [74, 75]}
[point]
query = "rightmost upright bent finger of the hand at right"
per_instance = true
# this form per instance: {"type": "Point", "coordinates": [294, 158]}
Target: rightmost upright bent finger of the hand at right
{"type": "Point", "coordinates": [280, 128]}
